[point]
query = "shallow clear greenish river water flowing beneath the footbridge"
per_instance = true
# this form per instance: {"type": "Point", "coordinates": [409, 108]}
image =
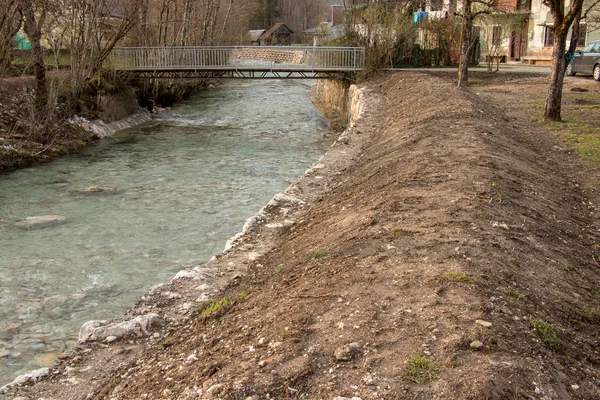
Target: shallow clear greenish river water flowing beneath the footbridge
{"type": "Point", "coordinates": [176, 189]}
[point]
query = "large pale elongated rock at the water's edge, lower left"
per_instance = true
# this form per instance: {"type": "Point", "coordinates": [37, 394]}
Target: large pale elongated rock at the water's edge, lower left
{"type": "Point", "coordinates": [140, 326]}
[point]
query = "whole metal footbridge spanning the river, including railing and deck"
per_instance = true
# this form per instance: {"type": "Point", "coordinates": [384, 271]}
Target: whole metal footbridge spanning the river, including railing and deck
{"type": "Point", "coordinates": [248, 62]}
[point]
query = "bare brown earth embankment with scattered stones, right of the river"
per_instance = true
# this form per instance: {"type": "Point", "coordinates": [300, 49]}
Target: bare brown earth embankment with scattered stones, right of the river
{"type": "Point", "coordinates": [444, 247]}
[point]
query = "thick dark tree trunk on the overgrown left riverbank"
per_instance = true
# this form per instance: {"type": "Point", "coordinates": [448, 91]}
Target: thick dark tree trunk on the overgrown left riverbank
{"type": "Point", "coordinates": [32, 29]}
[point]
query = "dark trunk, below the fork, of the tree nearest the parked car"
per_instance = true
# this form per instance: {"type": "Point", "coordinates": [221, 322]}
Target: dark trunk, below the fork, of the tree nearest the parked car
{"type": "Point", "coordinates": [557, 76]}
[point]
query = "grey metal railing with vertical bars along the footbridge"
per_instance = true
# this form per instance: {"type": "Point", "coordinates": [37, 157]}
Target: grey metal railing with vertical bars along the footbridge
{"type": "Point", "coordinates": [238, 57]}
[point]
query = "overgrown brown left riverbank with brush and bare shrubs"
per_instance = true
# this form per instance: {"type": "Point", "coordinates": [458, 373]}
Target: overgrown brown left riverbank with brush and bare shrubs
{"type": "Point", "coordinates": [111, 106]}
